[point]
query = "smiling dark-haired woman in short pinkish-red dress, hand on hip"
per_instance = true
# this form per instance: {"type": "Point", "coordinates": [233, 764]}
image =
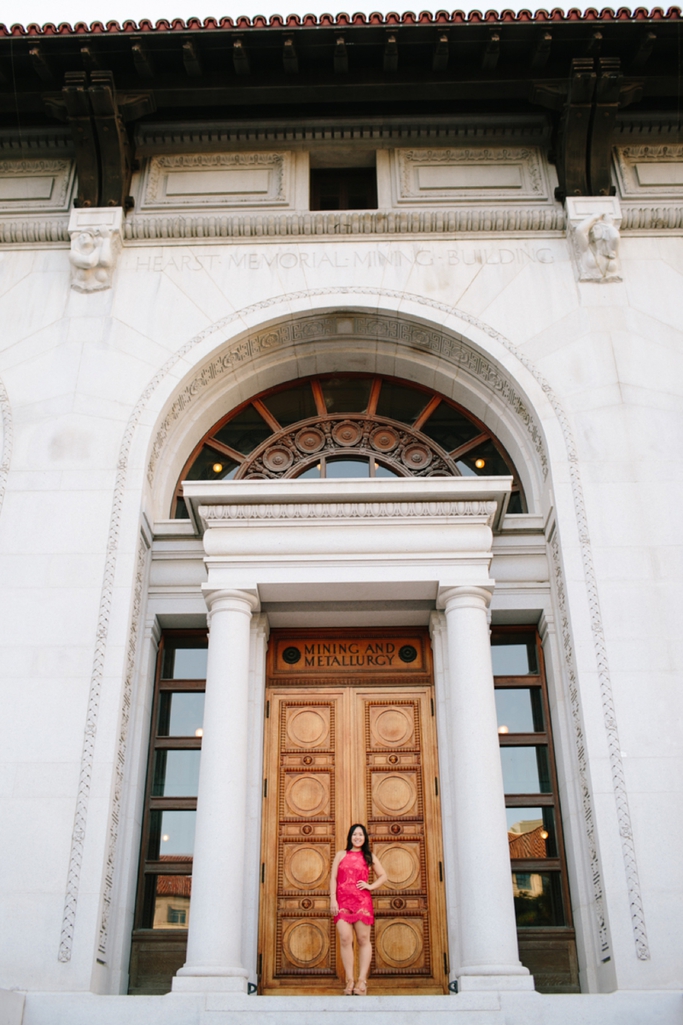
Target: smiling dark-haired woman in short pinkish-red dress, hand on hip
{"type": "Point", "coordinates": [351, 905]}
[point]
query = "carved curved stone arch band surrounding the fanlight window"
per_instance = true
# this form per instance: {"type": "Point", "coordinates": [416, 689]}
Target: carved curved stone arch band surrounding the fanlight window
{"type": "Point", "coordinates": [336, 342]}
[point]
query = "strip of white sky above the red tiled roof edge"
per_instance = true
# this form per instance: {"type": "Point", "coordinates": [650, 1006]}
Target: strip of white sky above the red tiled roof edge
{"type": "Point", "coordinates": [25, 12]}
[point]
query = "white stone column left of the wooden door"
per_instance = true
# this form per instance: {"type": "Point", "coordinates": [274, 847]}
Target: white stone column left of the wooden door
{"type": "Point", "coordinates": [215, 939]}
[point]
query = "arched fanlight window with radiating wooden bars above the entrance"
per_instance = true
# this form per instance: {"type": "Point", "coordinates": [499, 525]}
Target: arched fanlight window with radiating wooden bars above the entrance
{"type": "Point", "coordinates": [348, 427]}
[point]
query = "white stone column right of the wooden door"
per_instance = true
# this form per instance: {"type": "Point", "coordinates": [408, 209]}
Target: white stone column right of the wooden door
{"type": "Point", "coordinates": [488, 930]}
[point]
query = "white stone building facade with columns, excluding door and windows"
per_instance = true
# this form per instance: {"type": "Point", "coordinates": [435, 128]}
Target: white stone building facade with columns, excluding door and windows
{"type": "Point", "coordinates": [127, 338]}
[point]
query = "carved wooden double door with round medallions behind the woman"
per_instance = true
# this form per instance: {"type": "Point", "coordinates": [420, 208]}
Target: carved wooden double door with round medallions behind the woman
{"type": "Point", "coordinates": [340, 751]}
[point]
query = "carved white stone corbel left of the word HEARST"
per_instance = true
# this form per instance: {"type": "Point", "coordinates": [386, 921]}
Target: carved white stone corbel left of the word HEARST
{"type": "Point", "coordinates": [96, 242]}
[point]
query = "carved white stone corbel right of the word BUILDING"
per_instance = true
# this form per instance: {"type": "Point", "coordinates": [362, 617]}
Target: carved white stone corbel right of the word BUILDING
{"type": "Point", "coordinates": [593, 233]}
